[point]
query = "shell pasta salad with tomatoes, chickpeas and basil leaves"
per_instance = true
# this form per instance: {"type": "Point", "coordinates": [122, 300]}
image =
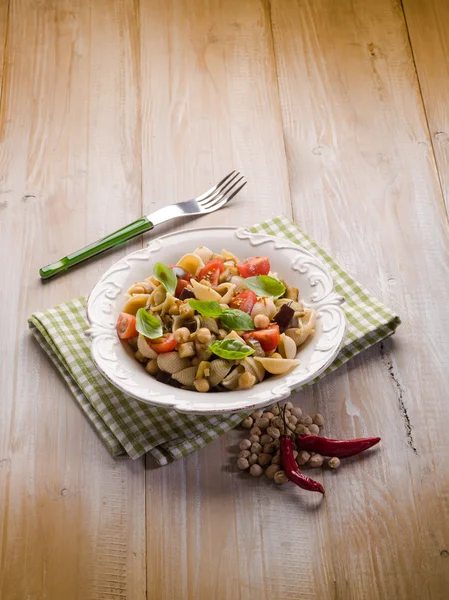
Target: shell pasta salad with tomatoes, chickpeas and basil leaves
{"type": "Point", "coordinates": [214, 323]}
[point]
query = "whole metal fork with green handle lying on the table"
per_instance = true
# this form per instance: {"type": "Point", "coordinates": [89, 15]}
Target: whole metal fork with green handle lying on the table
{"type": "Point", "coordinates": [212, 200]}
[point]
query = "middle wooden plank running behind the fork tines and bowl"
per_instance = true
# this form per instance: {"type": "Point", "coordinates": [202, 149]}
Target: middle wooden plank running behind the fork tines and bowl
{"type": "Point", "coordinates": [209, 98]}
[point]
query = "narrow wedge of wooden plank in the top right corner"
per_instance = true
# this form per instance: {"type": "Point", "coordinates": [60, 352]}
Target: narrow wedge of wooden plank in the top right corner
{"type": "Point", "coordinates": [427, 24]}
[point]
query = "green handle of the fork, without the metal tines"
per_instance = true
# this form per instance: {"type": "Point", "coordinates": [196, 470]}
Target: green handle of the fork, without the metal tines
{"type": "Point", "coordinates": [114, 239]}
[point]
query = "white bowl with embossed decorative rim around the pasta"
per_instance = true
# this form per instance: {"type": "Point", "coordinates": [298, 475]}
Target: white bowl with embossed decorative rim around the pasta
{"type": "Point", "coordinates": [294, 264]}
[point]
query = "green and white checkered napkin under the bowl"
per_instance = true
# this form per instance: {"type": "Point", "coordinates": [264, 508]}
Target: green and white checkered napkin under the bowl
{"type": "Point", "coordinates": [133, 428]}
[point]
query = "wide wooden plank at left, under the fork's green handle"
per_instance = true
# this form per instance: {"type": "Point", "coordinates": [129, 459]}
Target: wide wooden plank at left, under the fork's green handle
{"type": "Point", "coordinates": [72, 517]}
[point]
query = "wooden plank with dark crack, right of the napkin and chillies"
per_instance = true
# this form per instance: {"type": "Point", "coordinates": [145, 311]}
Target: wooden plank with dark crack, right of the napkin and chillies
{"type": "Point", "coordinates": [364, 184]}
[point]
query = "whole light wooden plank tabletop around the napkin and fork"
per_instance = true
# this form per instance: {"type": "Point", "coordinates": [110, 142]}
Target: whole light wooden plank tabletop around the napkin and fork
{"type": "Point", "coordinates": [337, 112]}
